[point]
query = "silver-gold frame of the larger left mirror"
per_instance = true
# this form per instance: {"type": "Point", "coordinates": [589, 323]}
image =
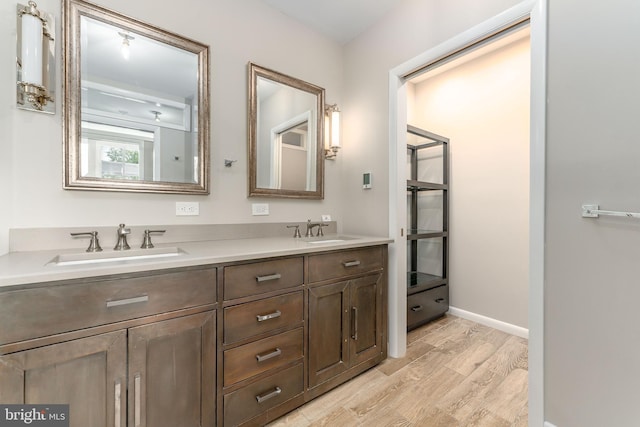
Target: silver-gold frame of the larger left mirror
{"type": "Point", "coordinates": [73, 11]}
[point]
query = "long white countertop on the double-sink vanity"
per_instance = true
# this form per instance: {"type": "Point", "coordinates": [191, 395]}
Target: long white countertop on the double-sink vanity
{"type": "Point", "coordinates": [24, 268]}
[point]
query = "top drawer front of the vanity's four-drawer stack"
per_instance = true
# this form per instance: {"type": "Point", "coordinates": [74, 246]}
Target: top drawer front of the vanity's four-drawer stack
{"type": "Point", "coordinates": [260, 277]}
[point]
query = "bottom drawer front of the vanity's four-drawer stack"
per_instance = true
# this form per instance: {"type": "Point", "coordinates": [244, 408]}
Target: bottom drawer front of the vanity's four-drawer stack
{"type": "Point", "coordinates": [256, 398]}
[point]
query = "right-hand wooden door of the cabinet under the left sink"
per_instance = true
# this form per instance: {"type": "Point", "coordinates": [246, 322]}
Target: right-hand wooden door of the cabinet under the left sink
{"type": "Point", "coordinates": [172, 373]}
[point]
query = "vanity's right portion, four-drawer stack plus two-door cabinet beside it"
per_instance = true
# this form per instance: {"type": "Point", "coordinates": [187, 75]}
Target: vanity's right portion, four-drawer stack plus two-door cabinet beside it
{"type": "Point", "coordinates": [296, 327]}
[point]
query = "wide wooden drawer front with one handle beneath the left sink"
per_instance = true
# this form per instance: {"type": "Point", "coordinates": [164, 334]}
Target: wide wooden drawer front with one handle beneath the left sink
{"type": "Point", "coordinates": [39, 312]}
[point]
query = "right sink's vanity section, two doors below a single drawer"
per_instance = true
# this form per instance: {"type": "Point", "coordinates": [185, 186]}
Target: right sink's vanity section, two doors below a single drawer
{"type": "Point", "coordinates": [347, 320]}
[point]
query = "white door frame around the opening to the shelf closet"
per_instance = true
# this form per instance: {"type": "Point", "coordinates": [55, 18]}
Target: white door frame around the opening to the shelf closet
{"type": "Point", "coordinates": [536, 12]}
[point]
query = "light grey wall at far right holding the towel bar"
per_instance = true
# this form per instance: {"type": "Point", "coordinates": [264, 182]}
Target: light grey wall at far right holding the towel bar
{"type": "Point", "coordinates": [592, 321]}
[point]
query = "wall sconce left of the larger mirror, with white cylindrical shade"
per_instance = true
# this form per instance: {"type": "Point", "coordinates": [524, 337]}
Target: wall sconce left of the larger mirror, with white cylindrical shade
{"type": "Point", "coordinates": [35, 59]}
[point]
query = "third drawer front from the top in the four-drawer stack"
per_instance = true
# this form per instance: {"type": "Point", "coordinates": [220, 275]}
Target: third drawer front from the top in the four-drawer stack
{"type": "Point", "coordinates": [251, 359]}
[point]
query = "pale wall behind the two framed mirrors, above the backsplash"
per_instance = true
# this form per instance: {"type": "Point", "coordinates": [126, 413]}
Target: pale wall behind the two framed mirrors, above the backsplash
{"type": "Point", "coordinates": [237, 32]}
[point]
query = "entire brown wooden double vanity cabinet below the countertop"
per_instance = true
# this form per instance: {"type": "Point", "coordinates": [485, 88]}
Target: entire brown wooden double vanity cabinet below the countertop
{"type": "Point", "coordinates": [232, 344]}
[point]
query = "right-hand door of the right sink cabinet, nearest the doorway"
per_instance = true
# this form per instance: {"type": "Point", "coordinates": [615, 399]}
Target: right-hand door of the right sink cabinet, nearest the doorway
{"type": "Point", "coordinates": [366, 319]}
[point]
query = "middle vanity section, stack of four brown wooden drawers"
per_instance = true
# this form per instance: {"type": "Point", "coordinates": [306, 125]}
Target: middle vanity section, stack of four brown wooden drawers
{"type": "Point", "coordinates": [262, 348]}
